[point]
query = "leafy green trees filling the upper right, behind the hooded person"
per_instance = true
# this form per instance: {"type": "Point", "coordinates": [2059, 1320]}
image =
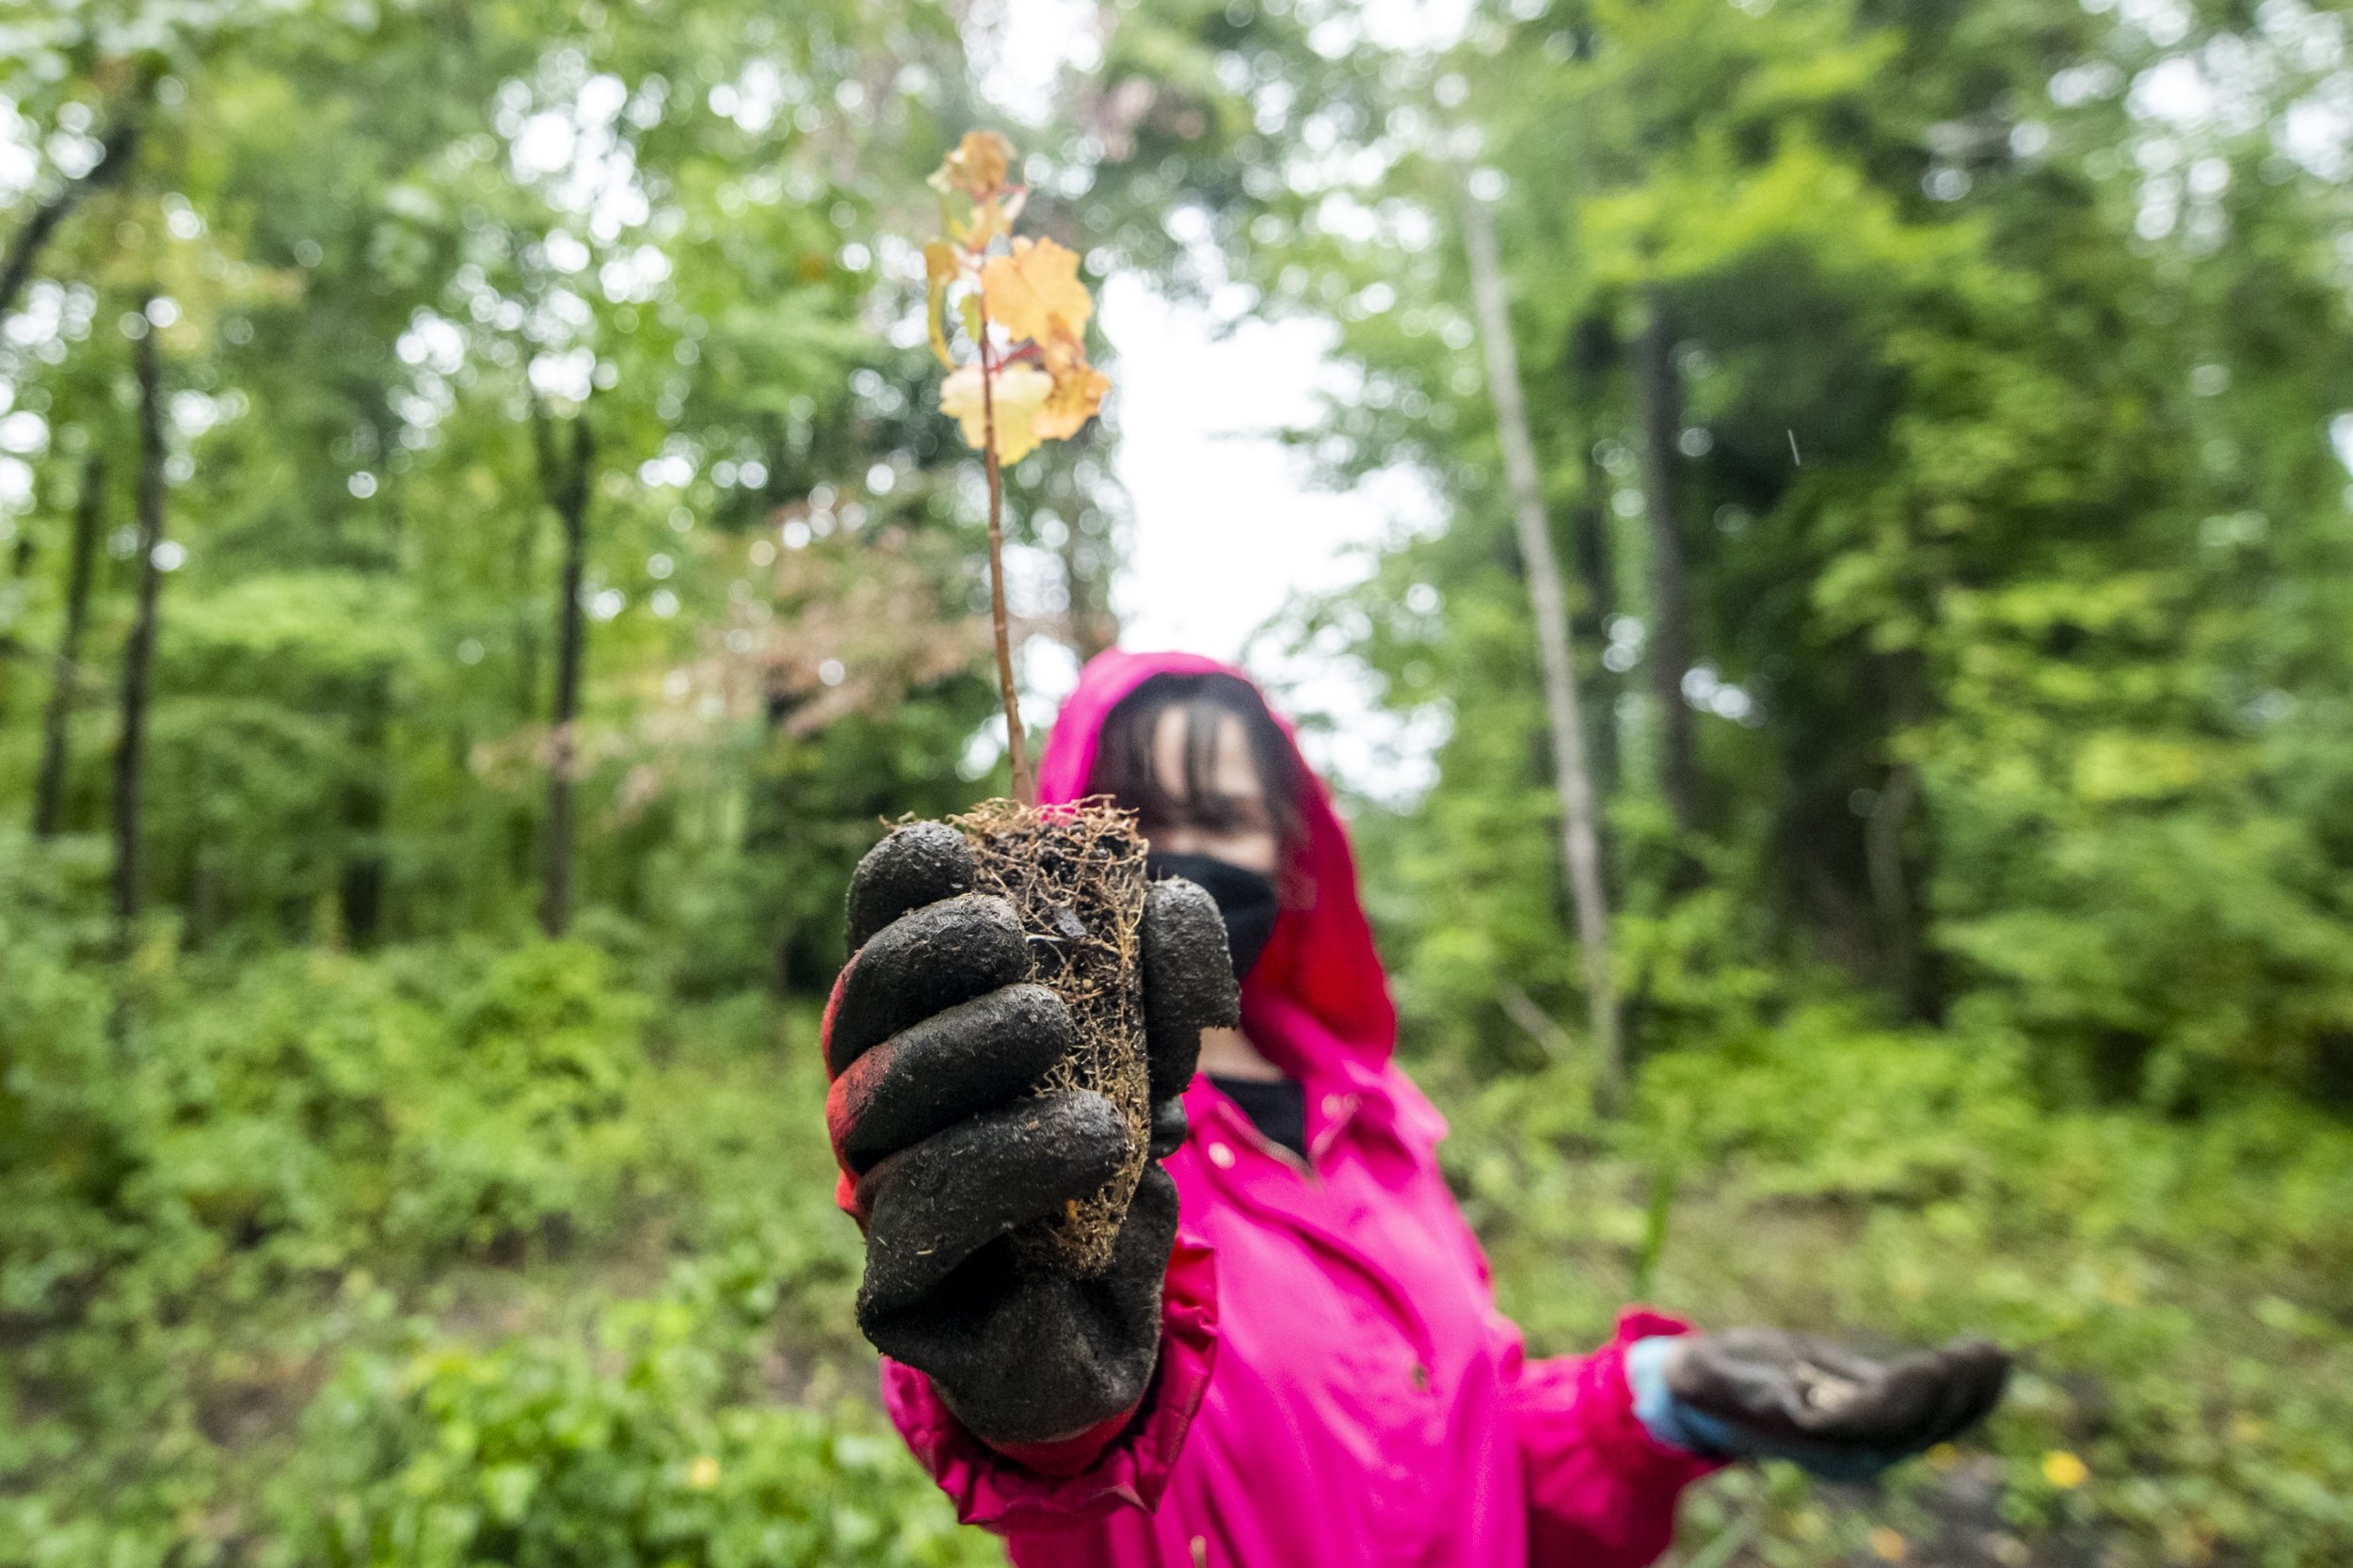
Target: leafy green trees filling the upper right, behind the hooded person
{"type": "Point", "coordinates": [2008, 505]}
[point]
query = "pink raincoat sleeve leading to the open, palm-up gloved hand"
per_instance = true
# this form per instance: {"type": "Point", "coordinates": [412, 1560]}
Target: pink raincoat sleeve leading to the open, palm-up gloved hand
{"type": "Point", "coordinates": [1601, 1491]}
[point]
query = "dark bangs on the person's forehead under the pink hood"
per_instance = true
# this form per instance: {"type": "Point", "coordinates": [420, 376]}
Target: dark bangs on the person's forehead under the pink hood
{"type": "Point", "coordinates": [1126, 764]}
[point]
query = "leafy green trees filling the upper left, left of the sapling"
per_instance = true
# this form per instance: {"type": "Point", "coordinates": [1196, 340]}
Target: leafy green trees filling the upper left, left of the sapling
{"type": "Point", "coordinates": [404, 270]}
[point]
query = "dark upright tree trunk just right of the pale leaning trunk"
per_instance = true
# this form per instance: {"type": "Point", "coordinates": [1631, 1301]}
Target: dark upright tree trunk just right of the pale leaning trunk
{"type": "Point", "coordinates": [1672, 637]}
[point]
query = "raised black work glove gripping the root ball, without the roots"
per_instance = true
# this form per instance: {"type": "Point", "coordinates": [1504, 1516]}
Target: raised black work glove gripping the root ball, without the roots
{"type": "Point", "coordinates": [935, 1039]}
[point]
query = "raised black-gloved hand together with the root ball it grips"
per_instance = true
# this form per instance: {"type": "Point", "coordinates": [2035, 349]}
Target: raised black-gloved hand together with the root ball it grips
{"type": "Point", "coordinates": [999, 1141]}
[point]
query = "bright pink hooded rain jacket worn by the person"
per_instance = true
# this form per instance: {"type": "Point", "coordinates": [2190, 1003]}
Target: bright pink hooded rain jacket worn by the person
{"type": "Point", "coordinates": [1335, 1383]}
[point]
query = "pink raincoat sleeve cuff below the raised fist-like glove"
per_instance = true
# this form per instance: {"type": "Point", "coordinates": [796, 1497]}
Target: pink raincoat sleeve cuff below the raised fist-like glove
{"type": "Point", "coordinates": [1124, 1463]}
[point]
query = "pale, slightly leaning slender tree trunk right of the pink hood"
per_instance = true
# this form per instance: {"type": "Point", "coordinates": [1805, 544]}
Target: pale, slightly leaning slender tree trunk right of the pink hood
{"type": "Point", "coordinates": [1580, 849]}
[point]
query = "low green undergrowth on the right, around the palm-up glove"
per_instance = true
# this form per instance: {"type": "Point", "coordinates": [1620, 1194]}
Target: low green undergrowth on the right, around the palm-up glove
{"type": "Point", "coordinates": [2178, 1291]}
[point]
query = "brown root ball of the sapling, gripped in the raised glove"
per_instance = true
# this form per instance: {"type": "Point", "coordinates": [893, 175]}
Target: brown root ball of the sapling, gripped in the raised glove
{"type": "Point", "coordinates": [1076, 879]}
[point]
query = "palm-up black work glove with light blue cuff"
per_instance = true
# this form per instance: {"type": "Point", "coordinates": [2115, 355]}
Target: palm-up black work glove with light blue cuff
{"type": "Point", "coordinates": [1759, 1393]}
